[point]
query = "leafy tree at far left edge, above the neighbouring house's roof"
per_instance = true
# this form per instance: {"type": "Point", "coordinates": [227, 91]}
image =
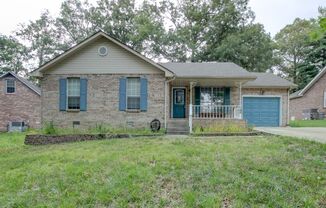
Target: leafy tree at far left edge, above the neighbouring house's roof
{"type": "Point", "coordinates": [12, 55]}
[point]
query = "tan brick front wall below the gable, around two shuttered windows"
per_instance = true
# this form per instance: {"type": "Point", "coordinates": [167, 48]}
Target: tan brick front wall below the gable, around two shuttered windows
{"type": "Point", "coordinates": [102, 102]}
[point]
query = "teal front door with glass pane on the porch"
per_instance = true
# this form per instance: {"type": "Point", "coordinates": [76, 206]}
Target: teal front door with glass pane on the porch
{"type": "Point", "coordinates": [179, 103]}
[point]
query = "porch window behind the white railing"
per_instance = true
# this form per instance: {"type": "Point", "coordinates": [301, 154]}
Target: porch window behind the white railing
{"type": "Point", "coordinates": [211, 97]}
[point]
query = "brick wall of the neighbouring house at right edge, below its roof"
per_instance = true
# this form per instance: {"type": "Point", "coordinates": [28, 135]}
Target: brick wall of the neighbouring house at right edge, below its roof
{"type": "Point", "coordinates": [313, 98]}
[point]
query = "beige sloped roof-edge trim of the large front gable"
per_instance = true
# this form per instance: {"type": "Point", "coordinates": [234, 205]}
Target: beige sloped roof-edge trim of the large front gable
{"type": "Point", "coordinates": [86, 43]}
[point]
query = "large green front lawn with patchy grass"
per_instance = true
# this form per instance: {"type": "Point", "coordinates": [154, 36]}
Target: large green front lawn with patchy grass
{"type": "Point", "coordinates": [169, 172]}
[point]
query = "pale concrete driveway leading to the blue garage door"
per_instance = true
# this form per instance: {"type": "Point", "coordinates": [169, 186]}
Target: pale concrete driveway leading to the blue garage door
{"type": "Point", "coordinates": [310, 133]}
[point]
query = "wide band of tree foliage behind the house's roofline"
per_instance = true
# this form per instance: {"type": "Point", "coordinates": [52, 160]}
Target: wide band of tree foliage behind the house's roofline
{"type": "Point", "coordinates": [183, 30]}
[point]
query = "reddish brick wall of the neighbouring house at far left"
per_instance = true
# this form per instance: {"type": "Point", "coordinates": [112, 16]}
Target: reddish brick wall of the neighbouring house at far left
{"type": "Point", "coordinates": [23, 105]}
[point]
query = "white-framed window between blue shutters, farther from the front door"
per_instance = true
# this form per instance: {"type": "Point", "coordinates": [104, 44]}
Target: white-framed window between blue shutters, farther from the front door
{"type": "Point", "coordinates": [73, 94]}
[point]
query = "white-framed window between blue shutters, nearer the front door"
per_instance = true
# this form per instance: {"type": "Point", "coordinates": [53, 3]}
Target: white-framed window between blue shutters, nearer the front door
{"type": "Point", "coordinates": [133, 93]}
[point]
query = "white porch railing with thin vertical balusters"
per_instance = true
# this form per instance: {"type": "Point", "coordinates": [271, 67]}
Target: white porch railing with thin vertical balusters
{"type": "Point", "coordinates": [216, 111]}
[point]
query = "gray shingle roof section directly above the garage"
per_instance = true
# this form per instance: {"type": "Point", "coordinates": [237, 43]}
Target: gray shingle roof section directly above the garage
{"type": "Point", "coordinates": [268, 80]}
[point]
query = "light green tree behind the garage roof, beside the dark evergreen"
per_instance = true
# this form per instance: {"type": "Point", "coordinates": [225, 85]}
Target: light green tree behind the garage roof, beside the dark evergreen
{"type": "Point", "coordinates": [292, 45]}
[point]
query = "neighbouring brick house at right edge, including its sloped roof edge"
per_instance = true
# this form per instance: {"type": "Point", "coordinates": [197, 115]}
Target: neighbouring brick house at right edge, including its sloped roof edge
{"type": "Point", "coordinates": [313, 96]}
